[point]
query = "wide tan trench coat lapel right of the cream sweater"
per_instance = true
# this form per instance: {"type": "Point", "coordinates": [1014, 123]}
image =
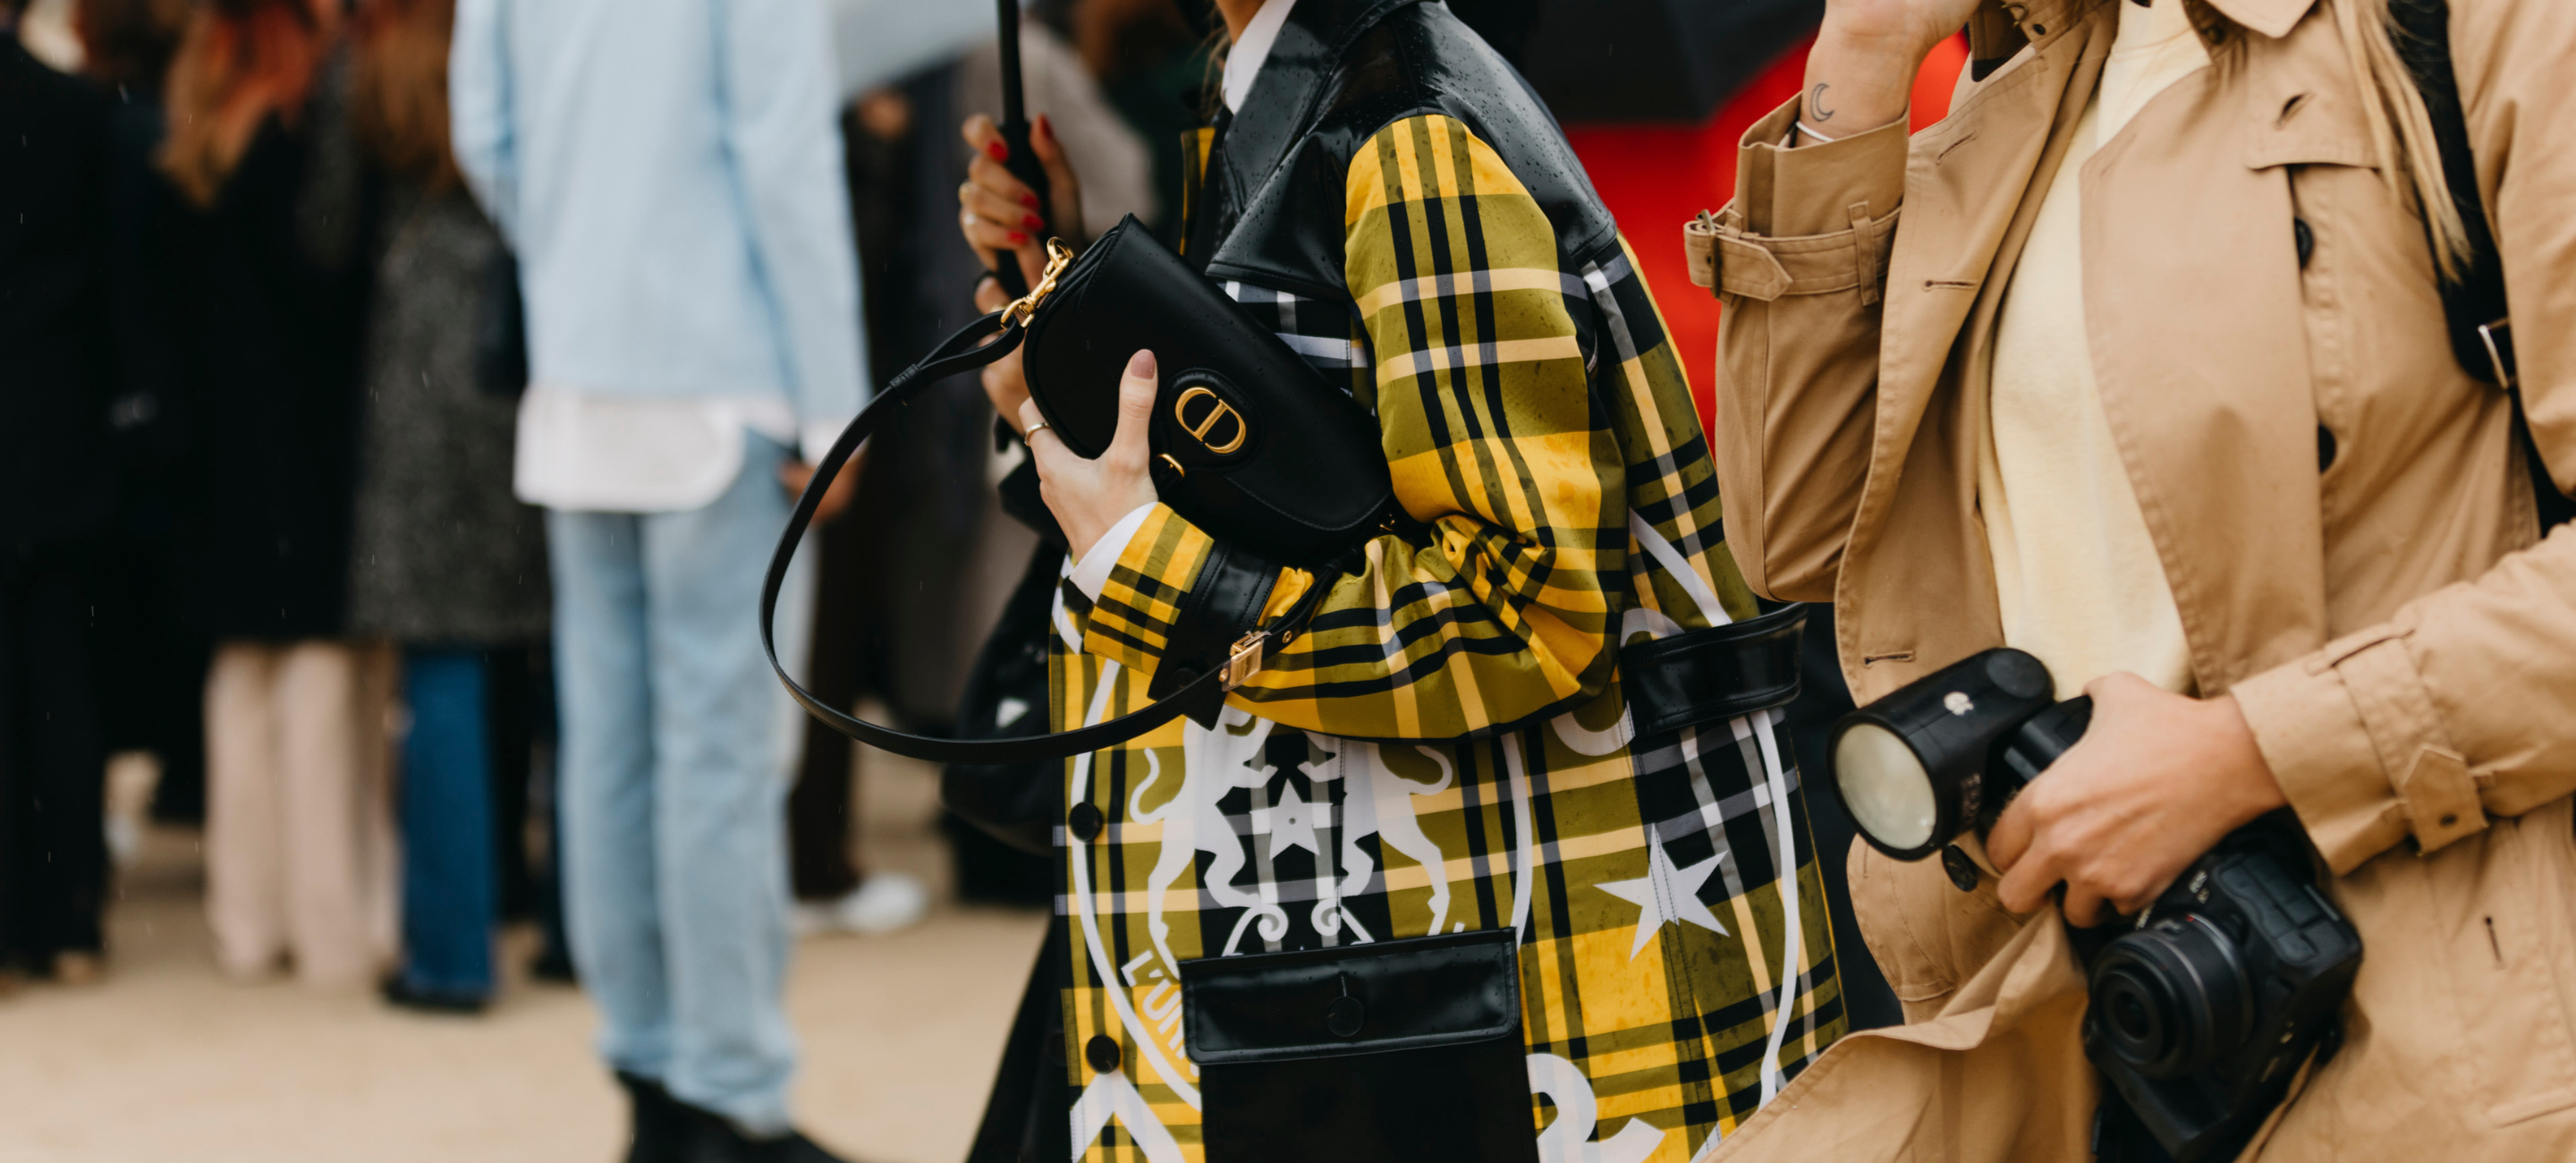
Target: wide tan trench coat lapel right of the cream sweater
{"type": "Point", "coordinates": [2222, 460]}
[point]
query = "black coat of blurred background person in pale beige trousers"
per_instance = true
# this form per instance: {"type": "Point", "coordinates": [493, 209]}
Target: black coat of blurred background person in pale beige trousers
{"type": "Point", "coordinates": [267, 298]}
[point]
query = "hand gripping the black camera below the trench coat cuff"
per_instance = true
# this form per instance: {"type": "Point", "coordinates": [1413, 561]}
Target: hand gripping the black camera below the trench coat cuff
{"type": "Point", "coordinates": [2155, 783]}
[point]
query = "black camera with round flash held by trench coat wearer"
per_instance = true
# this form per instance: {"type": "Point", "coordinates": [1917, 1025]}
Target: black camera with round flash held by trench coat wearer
{"type": "Point", "coordinates": [2211, 999]}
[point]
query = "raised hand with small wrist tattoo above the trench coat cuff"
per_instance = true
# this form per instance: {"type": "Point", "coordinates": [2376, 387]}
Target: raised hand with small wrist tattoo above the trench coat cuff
{"type": "Point", "coordinates": [1861, 71]}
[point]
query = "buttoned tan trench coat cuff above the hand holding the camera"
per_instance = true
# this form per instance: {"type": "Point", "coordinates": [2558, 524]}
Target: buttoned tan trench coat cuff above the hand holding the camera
{"type": "Point", "coordinates": [2361, 752]}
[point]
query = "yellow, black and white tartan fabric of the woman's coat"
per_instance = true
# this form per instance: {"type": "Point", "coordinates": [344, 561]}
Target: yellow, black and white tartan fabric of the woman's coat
{"type": "Point", "coordinates": [1537, 424]}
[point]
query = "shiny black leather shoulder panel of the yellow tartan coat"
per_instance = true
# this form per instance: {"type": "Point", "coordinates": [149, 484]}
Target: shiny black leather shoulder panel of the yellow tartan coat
{"type": "Point", "coordinates": [1341, 73]}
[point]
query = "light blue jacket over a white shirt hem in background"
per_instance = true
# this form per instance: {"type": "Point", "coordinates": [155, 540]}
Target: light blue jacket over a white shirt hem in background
{"type": "Point", "coordinates": [674, 184]}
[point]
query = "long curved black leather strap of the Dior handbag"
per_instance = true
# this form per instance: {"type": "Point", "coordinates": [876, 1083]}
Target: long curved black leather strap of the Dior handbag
{"type": "Point", "coordinates": [962, 352]}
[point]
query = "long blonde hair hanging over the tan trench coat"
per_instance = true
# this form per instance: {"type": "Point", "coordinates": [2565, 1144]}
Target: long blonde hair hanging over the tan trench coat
{"type": "Point", "coordinates": [2400, 122]}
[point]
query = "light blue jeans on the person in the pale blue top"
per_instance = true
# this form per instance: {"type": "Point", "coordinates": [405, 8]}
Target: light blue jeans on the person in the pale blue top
{"type": "Point", "coordinates": [674, 783]}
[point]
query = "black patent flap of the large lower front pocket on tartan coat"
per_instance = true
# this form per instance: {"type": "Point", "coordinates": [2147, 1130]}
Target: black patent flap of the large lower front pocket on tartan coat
{"type": "Point", "coordinates": [1423, 992]}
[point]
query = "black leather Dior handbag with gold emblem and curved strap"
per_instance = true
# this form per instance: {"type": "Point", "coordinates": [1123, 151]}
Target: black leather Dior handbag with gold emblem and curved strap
{"type": "Point", "coordinates": [1248, 442]}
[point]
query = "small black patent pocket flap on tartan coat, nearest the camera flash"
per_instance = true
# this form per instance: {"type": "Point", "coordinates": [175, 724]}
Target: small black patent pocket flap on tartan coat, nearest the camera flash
{"type": "Point", "coordinates": [1714, 674]}
